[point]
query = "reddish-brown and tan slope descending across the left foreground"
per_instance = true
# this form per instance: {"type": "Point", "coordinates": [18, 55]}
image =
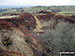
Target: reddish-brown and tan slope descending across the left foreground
{"type": "Point", "coordinates": [15, 39]}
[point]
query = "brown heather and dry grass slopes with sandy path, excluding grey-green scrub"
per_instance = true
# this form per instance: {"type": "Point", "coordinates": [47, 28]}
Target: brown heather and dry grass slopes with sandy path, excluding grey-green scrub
{"type": "Point", "coordinates": [16, 34]}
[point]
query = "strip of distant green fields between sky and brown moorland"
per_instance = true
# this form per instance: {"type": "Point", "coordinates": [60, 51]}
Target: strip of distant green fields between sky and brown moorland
{"type": "Point", "coordinates": [66, 10]}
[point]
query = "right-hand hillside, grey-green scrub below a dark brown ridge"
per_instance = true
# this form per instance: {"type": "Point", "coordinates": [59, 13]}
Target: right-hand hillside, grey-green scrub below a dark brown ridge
{"type": "Point", "coordinates": [58, 32]}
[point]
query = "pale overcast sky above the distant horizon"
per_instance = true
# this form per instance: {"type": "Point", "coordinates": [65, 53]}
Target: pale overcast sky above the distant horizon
{"type": "Point", "coordinates": [36, 2]}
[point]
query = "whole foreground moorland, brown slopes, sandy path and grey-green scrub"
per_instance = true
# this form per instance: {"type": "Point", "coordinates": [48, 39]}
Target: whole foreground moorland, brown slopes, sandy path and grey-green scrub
{"type": "Point", "coordinates": [43, 33]}
